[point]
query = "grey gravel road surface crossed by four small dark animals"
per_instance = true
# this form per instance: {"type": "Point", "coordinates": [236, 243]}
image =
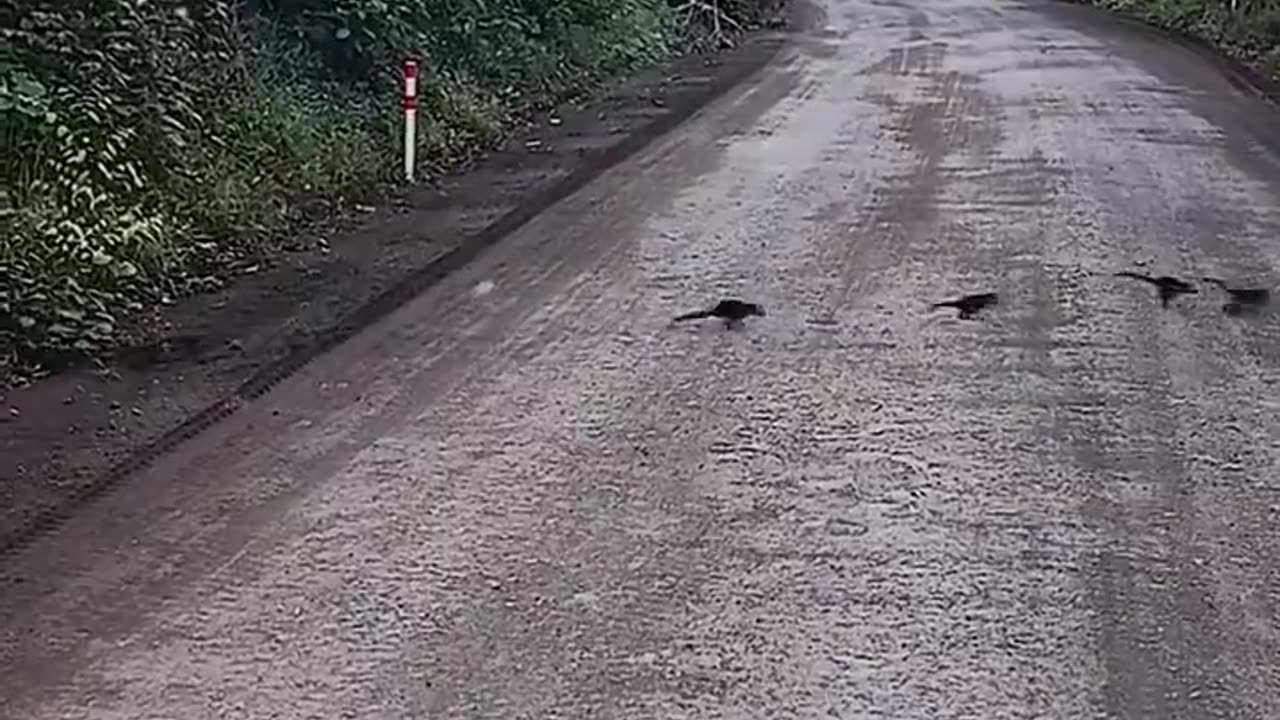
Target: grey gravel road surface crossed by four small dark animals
{"type": "Point", "coordinates": [524, 496]}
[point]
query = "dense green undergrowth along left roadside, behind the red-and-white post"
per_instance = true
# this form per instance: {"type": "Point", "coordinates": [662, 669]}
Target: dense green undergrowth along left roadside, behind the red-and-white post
{"type": "Point", "coordinates": [152, 148]}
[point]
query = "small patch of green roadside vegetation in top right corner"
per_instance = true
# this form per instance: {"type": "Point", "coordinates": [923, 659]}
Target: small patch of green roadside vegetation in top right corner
{"type": "Point", "coordinates": [1247, 31]}
